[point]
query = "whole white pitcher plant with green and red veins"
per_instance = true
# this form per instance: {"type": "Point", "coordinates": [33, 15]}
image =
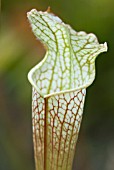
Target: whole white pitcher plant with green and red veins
{"type": "Point", "coordinates": [59, 85]}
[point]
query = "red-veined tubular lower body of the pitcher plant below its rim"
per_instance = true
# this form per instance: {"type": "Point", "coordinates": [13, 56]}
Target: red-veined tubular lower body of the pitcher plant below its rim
{"type": "Point", "coordinates": [56, 123]}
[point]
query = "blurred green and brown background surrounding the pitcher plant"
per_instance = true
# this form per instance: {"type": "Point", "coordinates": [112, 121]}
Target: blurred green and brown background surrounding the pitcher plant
{"type": "Point", "coordinates": [20, 51]}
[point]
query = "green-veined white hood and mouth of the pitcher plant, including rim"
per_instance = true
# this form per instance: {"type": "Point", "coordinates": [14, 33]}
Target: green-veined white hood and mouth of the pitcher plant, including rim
{"type": "Point", "coordinates": [69, 63]}
